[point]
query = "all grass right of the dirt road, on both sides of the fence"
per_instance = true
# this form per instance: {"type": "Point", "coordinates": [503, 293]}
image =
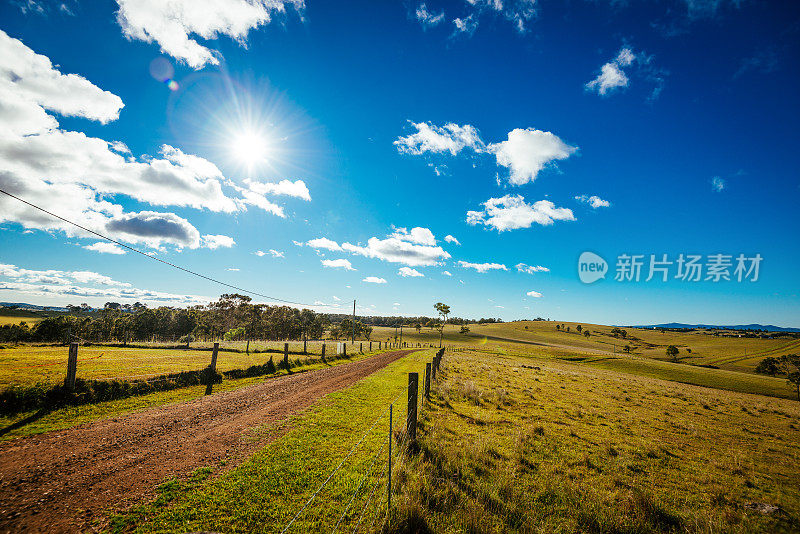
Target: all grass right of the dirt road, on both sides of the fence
{"type": "Point", "coordinates": [511, 444]}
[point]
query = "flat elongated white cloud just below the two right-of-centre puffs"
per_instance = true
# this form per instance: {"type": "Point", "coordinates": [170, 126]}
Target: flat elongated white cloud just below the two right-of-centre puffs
{"type": "Point", "coordinates": [512, 212]}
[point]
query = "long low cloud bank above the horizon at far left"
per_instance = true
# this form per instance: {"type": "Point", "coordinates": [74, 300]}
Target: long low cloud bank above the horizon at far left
{"type": "Point", "coordinates": [66, 285]}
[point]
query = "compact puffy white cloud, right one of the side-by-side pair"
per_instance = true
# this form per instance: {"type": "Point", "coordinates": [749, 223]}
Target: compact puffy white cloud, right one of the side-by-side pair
{"type": "Point", "coordinates": [526, 152]}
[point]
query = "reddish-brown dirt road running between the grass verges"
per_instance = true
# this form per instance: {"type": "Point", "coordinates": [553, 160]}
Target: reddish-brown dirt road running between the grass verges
{"type": "Point", "coordinates": [63, 481]}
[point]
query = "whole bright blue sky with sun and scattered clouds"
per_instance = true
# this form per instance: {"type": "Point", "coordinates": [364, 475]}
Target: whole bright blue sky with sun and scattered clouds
{"type": "Point", "coordinates": [351, 138]}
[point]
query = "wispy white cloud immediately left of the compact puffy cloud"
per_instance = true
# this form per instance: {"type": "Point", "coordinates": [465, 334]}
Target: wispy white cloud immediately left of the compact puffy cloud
{"type": "Point", "coordinates": [438, 139]}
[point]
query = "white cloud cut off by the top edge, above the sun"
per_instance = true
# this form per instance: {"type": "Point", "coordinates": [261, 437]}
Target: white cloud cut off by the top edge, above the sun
{"type": "Point", "coordinates": [172, 23]}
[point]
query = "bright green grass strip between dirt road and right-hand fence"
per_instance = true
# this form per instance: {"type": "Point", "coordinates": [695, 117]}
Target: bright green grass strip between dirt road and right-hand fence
{"type": "Point", "coordinates": [264, 493]}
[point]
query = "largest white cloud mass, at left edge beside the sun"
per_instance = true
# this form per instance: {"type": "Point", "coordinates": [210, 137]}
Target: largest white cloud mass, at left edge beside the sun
{"type": "Point", "coordinates": [77, 176]}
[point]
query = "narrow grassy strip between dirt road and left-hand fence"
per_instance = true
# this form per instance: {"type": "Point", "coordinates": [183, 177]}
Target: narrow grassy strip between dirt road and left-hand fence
{"type": "Point", "coordinates": [69, 416]}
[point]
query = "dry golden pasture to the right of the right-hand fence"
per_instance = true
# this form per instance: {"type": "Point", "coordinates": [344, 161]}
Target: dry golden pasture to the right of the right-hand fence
{"type": "Point", "coordinates": [512, 445]}
